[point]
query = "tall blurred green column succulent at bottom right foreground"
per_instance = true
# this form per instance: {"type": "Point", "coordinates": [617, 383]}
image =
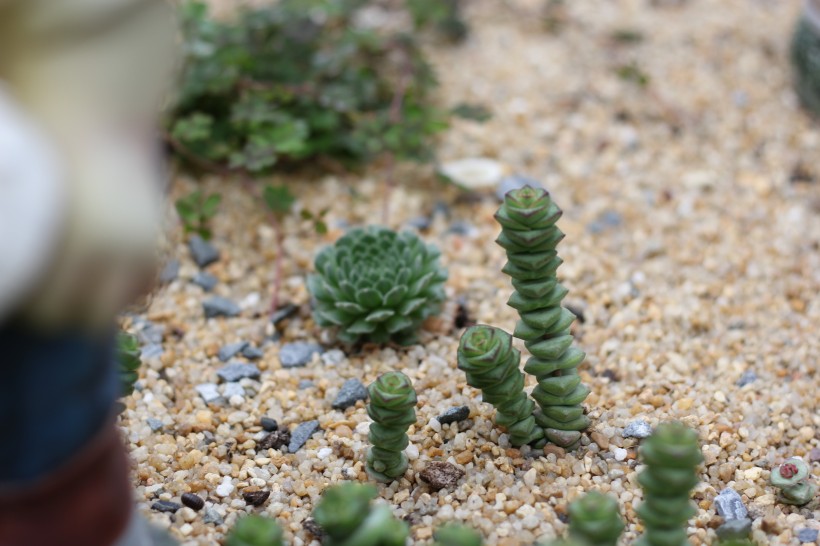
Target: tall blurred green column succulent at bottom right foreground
{"type": "Point", "coordinates": [671, 455]}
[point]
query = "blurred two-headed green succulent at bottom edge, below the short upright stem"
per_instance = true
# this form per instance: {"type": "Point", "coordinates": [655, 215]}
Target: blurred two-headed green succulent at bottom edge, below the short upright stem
{"type": "Point", "coordinates": [348, 519]}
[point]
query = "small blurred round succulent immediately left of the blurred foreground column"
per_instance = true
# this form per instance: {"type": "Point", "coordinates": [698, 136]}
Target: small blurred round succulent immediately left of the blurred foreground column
{"type": "Point", "coordinates": [596, 519]}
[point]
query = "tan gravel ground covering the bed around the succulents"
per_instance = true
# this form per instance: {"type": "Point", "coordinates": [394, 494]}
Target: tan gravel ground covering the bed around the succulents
{"type": "Point", "coordinates": [714, 270]}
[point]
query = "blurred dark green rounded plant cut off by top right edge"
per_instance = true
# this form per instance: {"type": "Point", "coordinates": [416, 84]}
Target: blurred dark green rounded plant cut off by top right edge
{"type": "Point", "coordinates": [805, 58]}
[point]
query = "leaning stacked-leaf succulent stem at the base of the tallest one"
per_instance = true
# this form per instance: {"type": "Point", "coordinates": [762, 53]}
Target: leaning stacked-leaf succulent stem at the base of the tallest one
{"type": "Point", "coordinates": [489, 360]}
